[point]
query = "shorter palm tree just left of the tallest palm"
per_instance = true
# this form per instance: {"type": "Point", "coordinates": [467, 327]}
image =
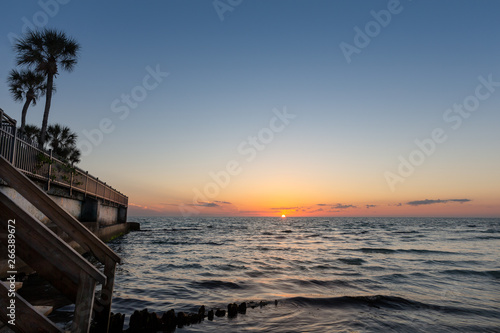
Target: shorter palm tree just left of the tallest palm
{"type": "Point", "coordinates": [26, 84]}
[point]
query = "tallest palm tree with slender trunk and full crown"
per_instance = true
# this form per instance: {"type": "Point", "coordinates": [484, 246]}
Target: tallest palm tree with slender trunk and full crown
{"type": "Point", "coordinates": [45, 51]}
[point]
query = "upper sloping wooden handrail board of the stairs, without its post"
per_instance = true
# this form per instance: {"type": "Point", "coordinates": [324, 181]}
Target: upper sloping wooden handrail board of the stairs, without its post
{"type": "Point", "coordinates": [69, 224]}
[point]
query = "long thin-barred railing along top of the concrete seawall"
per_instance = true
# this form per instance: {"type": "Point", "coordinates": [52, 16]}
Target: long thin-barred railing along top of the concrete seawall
{"type": "Point", "coordinates": [41, 165]}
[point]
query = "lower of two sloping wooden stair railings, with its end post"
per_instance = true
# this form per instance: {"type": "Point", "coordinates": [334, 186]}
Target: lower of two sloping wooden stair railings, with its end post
{"type": "Point", "coordinates": [54, 260]}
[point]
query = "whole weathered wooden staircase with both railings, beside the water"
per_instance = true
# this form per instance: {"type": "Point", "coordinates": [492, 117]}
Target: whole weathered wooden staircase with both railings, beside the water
{"type": "Point", "coordinates": [54, 259]}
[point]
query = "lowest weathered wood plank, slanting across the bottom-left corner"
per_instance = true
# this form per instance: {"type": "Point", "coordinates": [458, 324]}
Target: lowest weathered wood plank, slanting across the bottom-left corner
{"type": "Point", "coordinates": [24, 311]}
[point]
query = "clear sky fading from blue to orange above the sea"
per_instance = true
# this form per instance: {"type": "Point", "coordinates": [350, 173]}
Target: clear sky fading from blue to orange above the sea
{"type": "Point", "coordinates": [271, 107]}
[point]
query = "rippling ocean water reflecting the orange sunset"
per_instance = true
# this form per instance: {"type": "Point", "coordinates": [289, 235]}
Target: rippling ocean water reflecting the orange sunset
{"type": "Point", "coordinates": [328, 274]}
